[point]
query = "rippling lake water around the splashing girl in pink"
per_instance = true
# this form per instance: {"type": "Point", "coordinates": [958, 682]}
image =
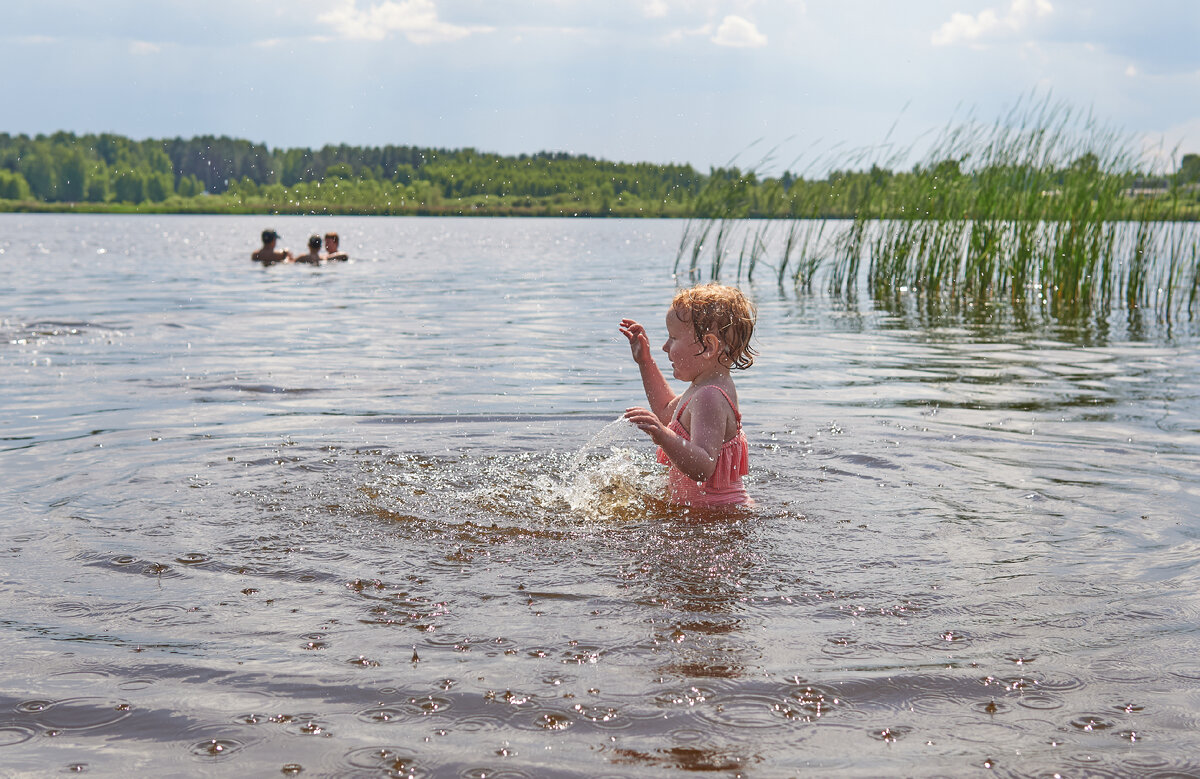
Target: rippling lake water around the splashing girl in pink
{"type": "Point", "coordinates": [373, 519]}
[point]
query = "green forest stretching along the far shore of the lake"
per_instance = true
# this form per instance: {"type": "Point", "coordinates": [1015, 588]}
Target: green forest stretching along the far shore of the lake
{"type": "Point", "coordinates": [106, 172]}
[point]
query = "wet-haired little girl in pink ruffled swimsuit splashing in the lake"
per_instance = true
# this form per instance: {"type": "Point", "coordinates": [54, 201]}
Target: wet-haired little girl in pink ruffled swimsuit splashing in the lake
{"type": "Point", "coordinates": [700, 433]}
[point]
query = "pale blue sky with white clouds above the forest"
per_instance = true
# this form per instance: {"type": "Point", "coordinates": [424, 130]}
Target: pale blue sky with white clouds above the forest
{"type": "Point", "coordinates": [781, 85]}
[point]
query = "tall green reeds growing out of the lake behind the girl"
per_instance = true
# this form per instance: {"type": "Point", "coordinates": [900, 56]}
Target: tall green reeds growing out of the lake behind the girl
{"type": "Point", "coordinates": [1035, 207]}
